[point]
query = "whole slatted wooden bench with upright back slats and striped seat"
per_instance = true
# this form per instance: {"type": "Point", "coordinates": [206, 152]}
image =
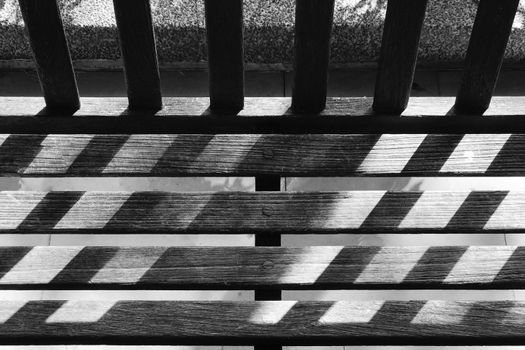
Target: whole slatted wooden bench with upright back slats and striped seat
{"type": "Point", "coordinates": [267, 138]}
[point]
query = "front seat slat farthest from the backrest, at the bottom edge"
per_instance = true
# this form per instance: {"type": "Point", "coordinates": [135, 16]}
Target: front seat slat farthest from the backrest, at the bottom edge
{"type": "Point", "coordinates": [264, 322]}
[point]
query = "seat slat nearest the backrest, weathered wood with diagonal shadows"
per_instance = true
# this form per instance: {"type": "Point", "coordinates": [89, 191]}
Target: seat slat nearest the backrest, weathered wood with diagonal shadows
{"type": "Point", "coordinates": [256, 154]}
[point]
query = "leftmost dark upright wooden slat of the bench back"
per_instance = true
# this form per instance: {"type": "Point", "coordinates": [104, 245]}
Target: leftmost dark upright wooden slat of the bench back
{"type": "Point", "coordinates": [50, 50]}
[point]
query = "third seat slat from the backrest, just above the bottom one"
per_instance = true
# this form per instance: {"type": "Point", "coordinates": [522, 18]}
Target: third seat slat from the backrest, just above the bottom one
{"type": "Point", "coordinates": [455, 267]}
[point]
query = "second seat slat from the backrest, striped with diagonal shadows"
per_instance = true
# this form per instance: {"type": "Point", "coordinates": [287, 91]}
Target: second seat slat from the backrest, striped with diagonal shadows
{"type": "Point", "coordinates": [268, 212]}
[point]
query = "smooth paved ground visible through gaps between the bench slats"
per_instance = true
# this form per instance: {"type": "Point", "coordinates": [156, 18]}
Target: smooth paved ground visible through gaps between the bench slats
{"type": "Point", "coordinates": [273, 83]}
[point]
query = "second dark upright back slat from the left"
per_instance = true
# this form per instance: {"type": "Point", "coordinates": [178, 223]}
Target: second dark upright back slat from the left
{"type": "Point", "coordinates": [137, 43]}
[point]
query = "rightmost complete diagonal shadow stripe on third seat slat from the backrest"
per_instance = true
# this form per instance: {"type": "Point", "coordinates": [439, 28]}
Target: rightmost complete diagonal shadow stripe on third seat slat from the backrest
{"type": "Point", "coordinates": [434, 265]}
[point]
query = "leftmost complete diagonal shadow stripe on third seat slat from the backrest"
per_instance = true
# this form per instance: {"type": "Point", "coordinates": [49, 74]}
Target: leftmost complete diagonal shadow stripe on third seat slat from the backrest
{"type": "Point", "coordinates": [85, 265]}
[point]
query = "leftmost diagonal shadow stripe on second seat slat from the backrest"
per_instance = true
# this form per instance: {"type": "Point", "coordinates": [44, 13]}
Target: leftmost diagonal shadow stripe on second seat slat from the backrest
{"type": "Point", "coordinates": [50, 210]}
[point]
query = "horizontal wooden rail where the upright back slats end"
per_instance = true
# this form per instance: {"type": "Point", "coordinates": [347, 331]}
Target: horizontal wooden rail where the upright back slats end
{"type": "Point", "coordinates": [192, 115]}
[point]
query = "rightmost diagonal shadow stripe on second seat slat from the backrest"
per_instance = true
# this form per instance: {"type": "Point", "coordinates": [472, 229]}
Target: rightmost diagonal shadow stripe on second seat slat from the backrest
{"type": "Point", "coordinates": [477, 209]}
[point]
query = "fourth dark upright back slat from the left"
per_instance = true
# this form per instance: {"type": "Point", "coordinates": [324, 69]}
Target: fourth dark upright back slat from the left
{"type": "Point", "coordinates": [313, 26]}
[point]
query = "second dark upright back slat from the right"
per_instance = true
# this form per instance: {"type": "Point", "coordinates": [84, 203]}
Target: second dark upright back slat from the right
{"type": "Point", "coordinates": [397, 61]}
